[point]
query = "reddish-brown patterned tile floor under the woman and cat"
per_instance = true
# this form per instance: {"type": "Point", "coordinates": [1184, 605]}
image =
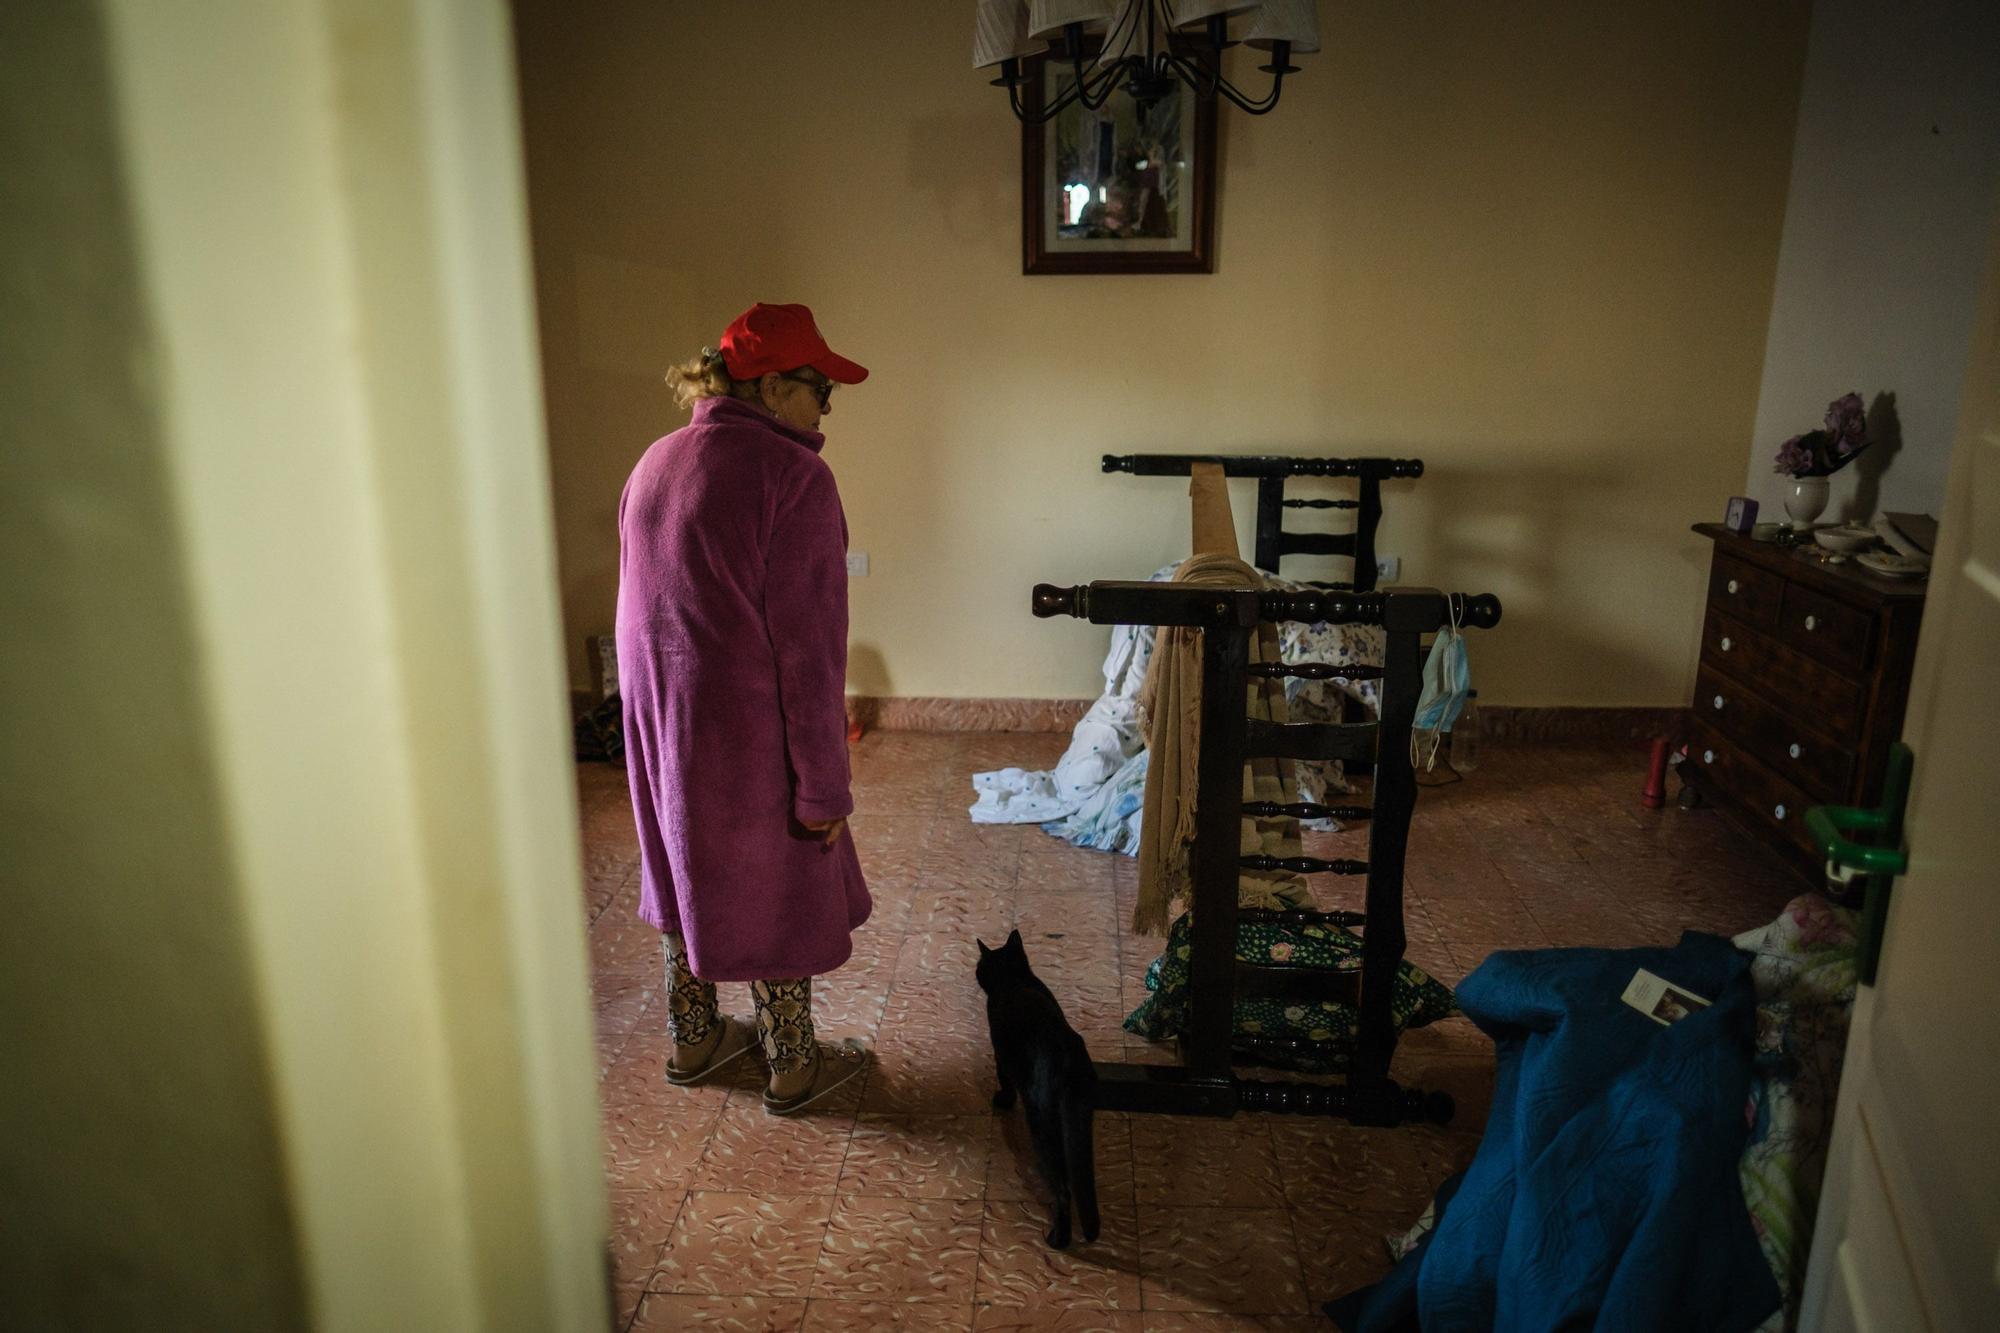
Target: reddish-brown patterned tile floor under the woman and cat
{"type": "Point", "coordinates": [911, 1204]}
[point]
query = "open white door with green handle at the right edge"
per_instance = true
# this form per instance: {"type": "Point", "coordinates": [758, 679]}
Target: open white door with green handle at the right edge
{"type": "Point", "coordinates": [1909, 1230]}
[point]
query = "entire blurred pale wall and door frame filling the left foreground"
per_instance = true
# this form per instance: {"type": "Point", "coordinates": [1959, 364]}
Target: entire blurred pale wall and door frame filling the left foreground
{"type": "Point", "coordinates": [295, 1020]}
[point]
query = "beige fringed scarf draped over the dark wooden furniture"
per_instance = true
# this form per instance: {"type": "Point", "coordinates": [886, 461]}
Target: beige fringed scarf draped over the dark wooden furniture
{"type": "Point", "coordinates": [1173, 706]}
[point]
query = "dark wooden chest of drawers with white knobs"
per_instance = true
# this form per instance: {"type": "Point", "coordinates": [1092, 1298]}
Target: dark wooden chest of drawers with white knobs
{"type": "Point", "coordinates": [1801, 690]}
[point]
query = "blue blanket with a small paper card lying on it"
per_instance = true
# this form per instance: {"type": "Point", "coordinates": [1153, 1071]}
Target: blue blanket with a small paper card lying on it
{"type": "Point", "coordinates": [1605, 1194]}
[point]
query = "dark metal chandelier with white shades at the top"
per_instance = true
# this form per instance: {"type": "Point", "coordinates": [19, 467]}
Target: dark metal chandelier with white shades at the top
{"type": "Point", "coordinates": [1149, 47]}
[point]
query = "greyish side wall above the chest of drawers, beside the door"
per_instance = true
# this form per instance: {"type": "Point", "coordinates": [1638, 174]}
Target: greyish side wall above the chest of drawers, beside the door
{"type": "Point", "coordinates": [1889, 219]}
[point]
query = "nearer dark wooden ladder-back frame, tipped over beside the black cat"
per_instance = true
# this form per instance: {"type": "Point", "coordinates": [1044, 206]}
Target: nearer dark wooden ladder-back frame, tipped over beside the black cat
{"type": "Point", "coordinates": [1203, 1084]}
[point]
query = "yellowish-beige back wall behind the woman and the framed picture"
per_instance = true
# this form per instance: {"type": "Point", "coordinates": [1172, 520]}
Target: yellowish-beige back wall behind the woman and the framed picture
{"type": "Point", "coordinates": [1531, 245]}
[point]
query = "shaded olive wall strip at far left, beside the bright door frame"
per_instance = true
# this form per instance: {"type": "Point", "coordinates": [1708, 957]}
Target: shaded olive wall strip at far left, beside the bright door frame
{"type": "Point", "coordinates": [141, 1164]}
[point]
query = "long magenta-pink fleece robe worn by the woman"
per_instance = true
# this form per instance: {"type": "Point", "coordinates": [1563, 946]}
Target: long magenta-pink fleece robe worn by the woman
{"type": "Point", "coordinates": [733, 653]}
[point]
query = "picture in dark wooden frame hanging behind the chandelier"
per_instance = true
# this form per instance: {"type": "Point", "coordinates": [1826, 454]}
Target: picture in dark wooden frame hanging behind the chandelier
{"type": "Point", "coordinates": [1127, 187]}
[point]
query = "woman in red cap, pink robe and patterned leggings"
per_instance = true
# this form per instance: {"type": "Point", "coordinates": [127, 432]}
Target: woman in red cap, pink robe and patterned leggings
{"type": "Point", "coordinates": [733, 641]}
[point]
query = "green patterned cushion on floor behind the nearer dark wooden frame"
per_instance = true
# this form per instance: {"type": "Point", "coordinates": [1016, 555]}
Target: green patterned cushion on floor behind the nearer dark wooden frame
{"type": "Point", "coordinates": [1329, 1028]}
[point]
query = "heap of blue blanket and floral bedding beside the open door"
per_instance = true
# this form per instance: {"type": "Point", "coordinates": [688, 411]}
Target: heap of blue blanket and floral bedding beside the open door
{"type": "Point", "coordinates": [1639, 1174]}
